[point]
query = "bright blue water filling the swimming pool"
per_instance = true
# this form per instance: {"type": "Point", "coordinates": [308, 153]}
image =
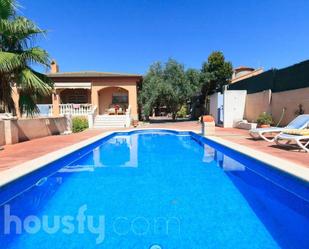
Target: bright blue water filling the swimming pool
{"type": "Point", "coordinates": [165, 189]}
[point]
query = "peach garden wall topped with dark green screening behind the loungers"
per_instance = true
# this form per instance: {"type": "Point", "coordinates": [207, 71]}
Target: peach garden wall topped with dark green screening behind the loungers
{"type": "Point", "coordinates": [275, 90]}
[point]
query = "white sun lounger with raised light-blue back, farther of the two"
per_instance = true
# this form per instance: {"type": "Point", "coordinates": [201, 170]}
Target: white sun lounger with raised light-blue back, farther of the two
{"type": "Point", "coordinates": [300, 122]}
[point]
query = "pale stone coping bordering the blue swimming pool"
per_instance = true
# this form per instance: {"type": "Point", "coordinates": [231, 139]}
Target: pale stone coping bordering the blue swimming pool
{"type": "Point", "coordinates": [23, 169]}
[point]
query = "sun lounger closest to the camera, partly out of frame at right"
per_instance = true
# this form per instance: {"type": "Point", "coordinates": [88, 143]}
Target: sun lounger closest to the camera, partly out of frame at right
{"type": "Point", "coordinates": [299, 137]}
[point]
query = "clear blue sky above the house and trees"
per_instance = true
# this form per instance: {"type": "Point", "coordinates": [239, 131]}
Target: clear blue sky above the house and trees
{"type": "Point", "coordinates": [128, 35]}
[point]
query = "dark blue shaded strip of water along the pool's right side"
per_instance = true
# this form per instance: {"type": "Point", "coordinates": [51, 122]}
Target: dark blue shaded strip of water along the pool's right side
{"type": "Point", "coordinates": [282, 212]}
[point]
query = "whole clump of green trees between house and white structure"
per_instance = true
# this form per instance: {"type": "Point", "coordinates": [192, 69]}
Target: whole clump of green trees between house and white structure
{"type": "Point", "coordinates": [172, 86]}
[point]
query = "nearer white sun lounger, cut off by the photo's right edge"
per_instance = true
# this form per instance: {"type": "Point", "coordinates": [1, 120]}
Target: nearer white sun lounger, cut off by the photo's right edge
{"type": "Point", "coordinates": [302, 141]}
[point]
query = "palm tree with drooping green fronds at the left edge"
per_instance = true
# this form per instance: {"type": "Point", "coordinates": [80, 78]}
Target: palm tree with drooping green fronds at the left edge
{"type": "Point", "coordinates": [17, 56]}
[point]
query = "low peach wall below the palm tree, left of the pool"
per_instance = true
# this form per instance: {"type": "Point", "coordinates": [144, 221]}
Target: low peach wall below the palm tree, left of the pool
{"type": "Point", "coordinates": [27, 129]}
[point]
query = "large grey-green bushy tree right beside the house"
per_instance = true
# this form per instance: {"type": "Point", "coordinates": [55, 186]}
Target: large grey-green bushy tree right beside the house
{"type": "Point", "coordinates": [167, 85]}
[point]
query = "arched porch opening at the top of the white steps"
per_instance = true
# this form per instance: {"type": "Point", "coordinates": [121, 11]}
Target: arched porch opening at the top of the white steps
{"type": "Point", "coordinates": [113, 101]}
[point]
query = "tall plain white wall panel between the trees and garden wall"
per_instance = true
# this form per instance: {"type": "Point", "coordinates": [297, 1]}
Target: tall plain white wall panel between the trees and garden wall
{"type": "Point", "coordinates": [234, 102]}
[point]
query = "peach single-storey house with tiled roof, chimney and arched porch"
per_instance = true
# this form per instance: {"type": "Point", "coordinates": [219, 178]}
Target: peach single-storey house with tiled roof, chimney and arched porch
{"type": "Point", "coordinates": [79, 93]}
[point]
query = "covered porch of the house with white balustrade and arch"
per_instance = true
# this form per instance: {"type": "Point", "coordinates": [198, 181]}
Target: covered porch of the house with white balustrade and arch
{"type": "Point", "coordinates": [81, 99]}
